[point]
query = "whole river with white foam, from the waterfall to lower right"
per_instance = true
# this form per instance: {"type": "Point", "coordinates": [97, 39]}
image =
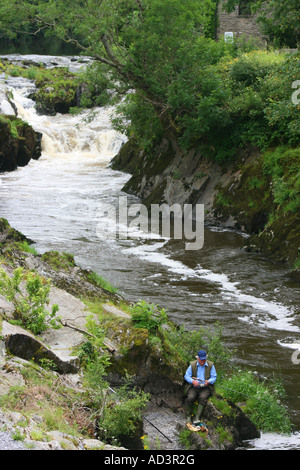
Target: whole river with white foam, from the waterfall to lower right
{"type": "Point", "coordinates": [57, 201]}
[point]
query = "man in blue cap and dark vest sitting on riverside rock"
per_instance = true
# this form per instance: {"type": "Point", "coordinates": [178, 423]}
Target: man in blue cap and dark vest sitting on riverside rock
{"type": "Point", "coordinates": [200, 375]}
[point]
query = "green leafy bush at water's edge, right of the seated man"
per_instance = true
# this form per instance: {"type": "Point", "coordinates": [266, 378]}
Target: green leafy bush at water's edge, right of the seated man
{"type": "Point", "coordinates": [263, 401]}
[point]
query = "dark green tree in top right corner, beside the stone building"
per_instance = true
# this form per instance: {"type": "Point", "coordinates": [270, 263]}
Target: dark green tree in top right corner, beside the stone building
{"type": "Point", "coordinates": [279, 19]}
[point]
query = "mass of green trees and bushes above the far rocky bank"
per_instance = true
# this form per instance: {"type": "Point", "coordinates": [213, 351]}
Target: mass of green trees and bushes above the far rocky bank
{"type": "Point", "coordinates": [207, 94]}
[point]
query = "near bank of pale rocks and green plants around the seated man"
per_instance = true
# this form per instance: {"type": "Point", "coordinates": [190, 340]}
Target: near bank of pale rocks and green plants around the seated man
{"type": "Point", "coordinates": [130, 346]}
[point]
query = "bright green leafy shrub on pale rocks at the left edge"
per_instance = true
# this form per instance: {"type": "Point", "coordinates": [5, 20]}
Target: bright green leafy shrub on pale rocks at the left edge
{"type": "Point", "coordinates": [29, 301]}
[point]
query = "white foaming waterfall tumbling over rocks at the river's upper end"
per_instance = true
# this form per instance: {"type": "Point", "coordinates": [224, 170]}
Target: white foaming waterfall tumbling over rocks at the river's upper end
{"type": "Point", "coordinates": [84, 135]}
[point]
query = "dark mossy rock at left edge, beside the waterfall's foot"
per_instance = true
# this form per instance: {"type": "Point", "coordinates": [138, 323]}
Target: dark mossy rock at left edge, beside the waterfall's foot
{"type": "Point", "coordinates": [19, 143]}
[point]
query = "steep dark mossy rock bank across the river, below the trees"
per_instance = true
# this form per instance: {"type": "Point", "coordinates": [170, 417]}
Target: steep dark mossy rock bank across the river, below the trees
{"type": "Point", "coordinates": [254, 193]}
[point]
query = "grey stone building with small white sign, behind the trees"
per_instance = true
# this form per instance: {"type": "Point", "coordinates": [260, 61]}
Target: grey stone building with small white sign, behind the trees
{"type": "Point", "coordinates": [238, 23]}
